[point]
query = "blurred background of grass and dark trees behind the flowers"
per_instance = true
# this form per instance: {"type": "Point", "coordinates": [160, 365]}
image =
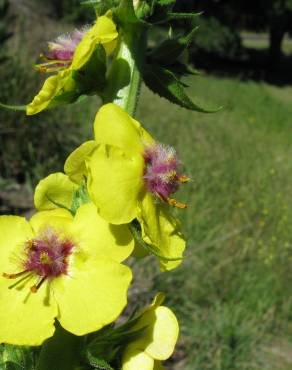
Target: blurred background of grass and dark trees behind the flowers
{"type": "Point", "coordinates": [233, 293]}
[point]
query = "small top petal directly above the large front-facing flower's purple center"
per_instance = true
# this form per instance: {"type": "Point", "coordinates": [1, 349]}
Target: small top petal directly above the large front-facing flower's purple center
{"type": "Point", "coordinates": [59, 219]}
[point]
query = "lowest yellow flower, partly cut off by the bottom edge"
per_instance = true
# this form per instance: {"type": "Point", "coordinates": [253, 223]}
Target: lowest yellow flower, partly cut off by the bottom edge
{"type": "Point", "coordinates": [158, 341]}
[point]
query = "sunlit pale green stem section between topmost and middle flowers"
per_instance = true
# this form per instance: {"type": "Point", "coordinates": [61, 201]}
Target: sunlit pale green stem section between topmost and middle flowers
{"type": "Point", "coordinates": [124, 79]}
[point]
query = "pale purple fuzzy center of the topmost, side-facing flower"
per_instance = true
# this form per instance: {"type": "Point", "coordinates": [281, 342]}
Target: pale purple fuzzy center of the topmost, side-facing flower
{"type": "Point", "coordinates": [61, 51]}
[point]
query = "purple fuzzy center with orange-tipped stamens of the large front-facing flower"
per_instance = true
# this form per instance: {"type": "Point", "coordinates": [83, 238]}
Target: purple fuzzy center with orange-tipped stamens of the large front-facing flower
{"type": "Point", "coordinates": [45, 257]}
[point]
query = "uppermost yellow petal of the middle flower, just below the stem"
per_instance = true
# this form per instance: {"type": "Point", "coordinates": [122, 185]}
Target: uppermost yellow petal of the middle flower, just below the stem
{"type": "Point", "coordinates": [115, 127]}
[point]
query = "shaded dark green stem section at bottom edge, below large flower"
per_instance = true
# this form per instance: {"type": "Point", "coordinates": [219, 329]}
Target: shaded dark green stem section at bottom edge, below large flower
{"type": "Point", "coordinates": [60, 352]}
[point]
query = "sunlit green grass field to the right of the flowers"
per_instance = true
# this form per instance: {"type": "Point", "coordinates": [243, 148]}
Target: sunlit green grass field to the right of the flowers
{"type": "Point", "coordinates": [233, 292]}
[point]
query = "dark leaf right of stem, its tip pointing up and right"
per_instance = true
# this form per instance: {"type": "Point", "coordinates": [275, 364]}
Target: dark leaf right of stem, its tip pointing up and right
{"type": "Point", "coordinates": [170, 50]}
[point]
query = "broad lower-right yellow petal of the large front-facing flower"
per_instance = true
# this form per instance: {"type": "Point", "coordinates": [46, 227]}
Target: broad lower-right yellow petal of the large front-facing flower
{"type": "Point", "coordinates": [92, 295]}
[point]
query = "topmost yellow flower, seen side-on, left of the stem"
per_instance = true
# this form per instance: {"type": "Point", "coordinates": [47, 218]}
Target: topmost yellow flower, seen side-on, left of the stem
{"type": "Point", "coordinates": [68, 54]}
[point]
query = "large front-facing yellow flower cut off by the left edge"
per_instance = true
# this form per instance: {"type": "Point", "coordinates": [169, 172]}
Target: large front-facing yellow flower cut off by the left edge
{"type": "Point", "coordinates": [57, 266]}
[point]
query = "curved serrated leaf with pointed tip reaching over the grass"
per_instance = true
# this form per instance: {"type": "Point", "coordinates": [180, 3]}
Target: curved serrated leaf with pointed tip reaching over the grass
{"type": "Point", "coordinates": [164, 83]}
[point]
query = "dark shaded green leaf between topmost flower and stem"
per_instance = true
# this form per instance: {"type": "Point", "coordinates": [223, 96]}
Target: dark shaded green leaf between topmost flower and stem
{"type": "Point", "coordinates": [91, 77]}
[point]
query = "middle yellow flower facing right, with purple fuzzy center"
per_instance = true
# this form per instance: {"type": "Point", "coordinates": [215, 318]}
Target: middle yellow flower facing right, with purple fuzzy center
{"type": "Point", "coordinates": [130, 176]}
